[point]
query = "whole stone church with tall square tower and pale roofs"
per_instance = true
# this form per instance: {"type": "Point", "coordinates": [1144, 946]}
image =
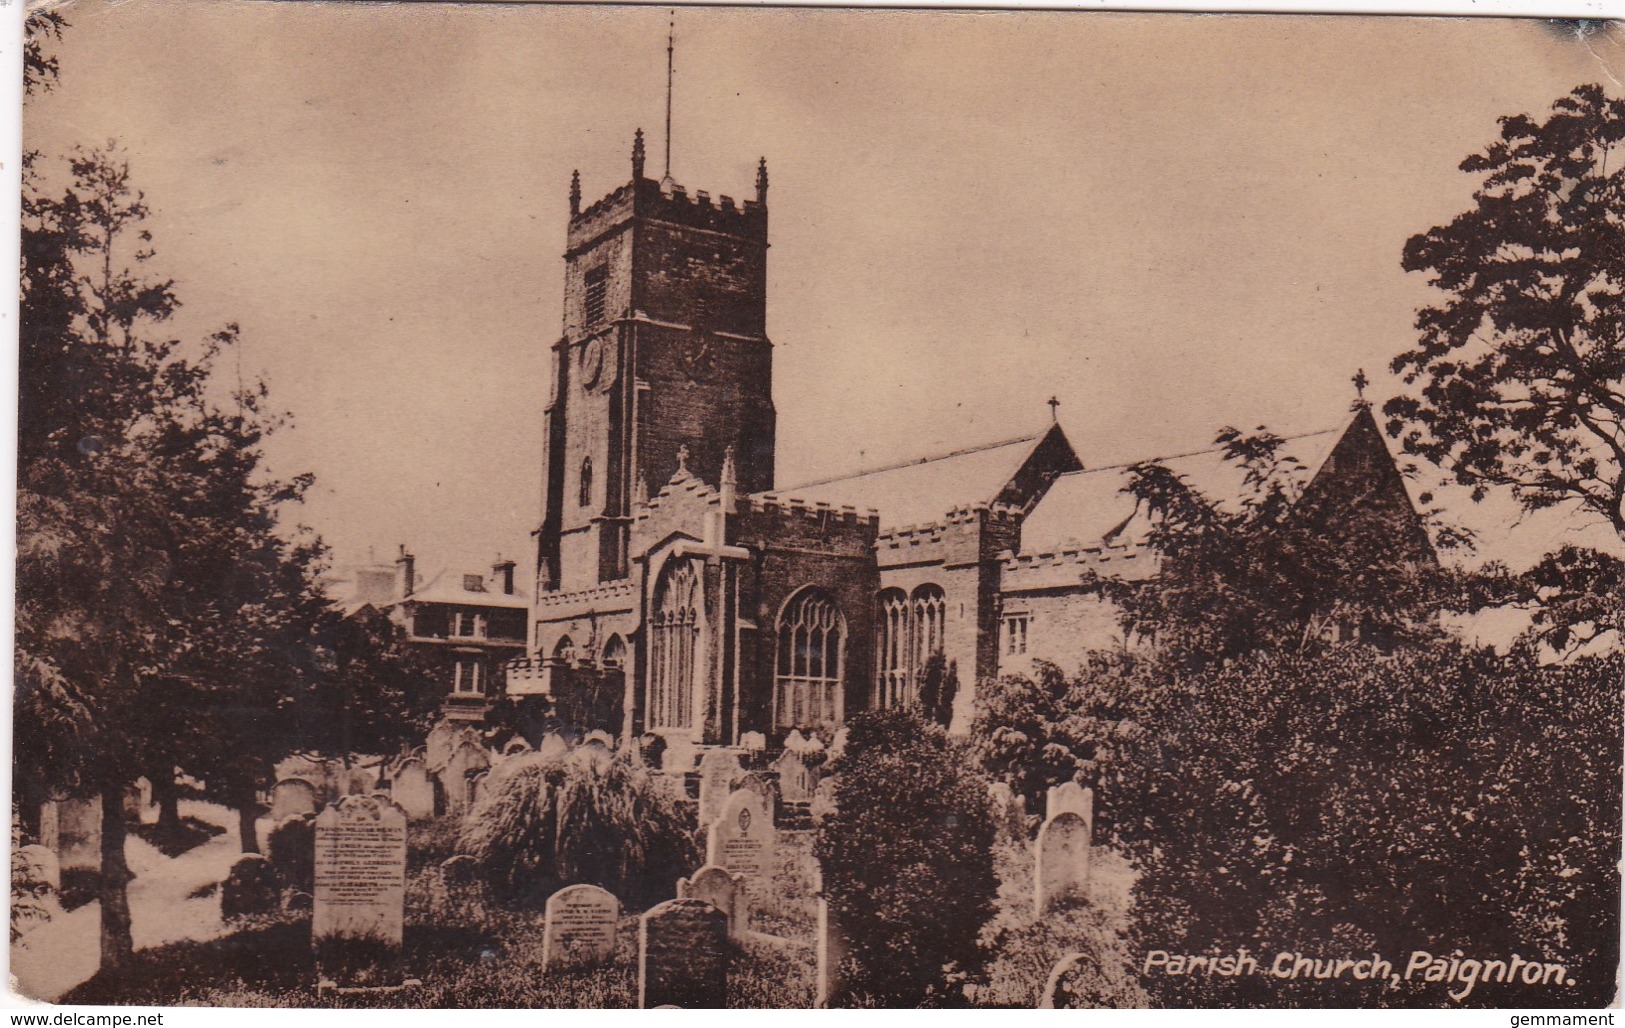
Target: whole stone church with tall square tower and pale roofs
{"type": "Point", "coordinates": [708, 602]}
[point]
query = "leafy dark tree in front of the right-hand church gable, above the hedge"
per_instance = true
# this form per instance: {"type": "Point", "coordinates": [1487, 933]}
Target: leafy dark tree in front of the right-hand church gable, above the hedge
{"type": "Point", "coordinates": [1286, 568]}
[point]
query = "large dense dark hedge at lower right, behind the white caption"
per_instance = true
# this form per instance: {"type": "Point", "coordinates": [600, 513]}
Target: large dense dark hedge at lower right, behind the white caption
{"type": "Point", "coordinates": [1356, 801]}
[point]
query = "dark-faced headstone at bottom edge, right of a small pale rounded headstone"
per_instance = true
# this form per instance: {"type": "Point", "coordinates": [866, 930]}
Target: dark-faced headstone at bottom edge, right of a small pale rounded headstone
{"type": "Point", "coordinates": [683, 957]}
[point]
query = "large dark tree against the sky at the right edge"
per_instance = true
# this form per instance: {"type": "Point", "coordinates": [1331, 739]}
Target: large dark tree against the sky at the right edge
{"type": "Point", "coordinates": [1520, 369]}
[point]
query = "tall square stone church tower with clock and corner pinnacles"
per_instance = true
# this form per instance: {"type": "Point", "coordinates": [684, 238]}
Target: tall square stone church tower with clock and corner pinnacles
{"type": "Point", "coordinates": [664, 360]}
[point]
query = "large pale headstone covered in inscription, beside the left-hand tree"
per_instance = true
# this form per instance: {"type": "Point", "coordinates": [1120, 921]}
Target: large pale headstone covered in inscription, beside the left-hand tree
{"type": "Point", "coordinates": [360, 879]}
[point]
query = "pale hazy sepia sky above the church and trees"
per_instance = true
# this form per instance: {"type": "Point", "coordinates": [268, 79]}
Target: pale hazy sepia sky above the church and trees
{"type": "Point", "coordinates": [1171, 223]}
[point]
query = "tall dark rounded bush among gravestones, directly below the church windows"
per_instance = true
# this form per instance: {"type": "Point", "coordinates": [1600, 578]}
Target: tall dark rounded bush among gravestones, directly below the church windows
{"type": "Point", "coordinates": [908, 862]}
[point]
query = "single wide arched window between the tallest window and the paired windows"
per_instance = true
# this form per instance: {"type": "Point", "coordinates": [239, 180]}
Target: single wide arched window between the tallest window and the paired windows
{"type": "Point", "coordinates": [812, 662]}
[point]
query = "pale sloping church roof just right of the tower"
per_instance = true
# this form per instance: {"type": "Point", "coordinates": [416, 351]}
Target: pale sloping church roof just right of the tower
{"type": "Point", "coordinates": [924, 491]}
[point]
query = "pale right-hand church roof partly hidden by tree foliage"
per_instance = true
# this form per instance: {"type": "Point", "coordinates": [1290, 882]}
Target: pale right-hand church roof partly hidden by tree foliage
{"type": "Point", "coordinates": [1093, 509]}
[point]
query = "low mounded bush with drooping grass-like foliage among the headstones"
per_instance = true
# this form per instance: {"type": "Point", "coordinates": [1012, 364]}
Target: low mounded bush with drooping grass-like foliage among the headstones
{"type": "Point", "coordinates": [553, 823]}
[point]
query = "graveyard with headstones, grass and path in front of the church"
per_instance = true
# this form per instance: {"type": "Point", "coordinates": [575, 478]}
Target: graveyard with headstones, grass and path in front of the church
{"type": "Point", "coordinates": [373, 891]}
